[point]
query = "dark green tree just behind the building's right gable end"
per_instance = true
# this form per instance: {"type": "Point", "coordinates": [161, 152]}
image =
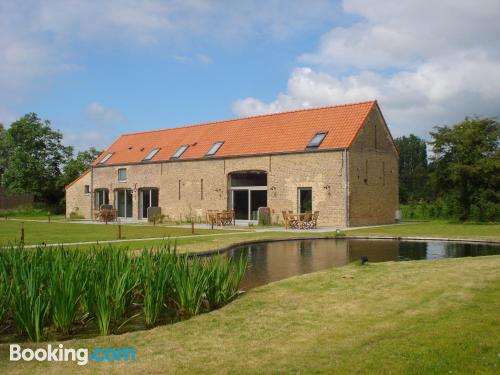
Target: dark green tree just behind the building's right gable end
{"type": "Point", "coordinates": [413, 170]}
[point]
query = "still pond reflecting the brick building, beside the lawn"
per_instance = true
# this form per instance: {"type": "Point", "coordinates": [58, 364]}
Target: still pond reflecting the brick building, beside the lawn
{"type": "Point", "coordinates": [272, 261]}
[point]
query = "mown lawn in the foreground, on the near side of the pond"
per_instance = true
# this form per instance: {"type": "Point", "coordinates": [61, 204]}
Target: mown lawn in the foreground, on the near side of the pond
{"type": "Point", "coordinates": [420, 317]}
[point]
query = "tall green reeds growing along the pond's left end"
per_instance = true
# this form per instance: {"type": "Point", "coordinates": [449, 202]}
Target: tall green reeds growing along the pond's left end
{"type": "Point", "coordinates": [48, 292]}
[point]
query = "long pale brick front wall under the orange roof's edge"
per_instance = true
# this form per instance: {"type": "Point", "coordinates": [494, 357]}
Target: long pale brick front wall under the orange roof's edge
{"type": "Point", "coordinates": [180, 184]}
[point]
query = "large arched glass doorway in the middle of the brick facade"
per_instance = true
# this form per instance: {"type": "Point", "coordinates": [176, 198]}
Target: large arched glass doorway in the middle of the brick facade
{"type": "Point", "coordinates": [248, 192]}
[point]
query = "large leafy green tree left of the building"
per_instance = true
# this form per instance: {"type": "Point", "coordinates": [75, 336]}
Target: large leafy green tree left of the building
{"type": "Point", "coordinates": [36, 156]}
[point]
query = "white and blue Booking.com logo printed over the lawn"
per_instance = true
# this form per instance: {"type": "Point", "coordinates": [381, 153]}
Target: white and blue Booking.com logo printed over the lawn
{"type": "Point", "coordinates": [61, 354]}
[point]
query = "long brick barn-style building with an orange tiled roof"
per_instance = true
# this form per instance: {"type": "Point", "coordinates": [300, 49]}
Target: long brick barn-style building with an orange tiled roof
{"type": "Point", "coordinates": [339, 160]}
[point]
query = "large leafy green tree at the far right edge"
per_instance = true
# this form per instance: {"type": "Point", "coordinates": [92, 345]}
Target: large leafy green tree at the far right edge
{"type": "Point", "coordinates": [466, 166]}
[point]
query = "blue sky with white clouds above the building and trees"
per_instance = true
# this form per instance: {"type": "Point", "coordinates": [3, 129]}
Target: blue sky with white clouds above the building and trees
{"type": "Point", "coordinates": [97, 69]}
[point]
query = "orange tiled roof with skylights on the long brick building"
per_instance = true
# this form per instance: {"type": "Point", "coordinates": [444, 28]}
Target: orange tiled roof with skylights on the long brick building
{"type": "Point", "coordinates": [273, 133]}
